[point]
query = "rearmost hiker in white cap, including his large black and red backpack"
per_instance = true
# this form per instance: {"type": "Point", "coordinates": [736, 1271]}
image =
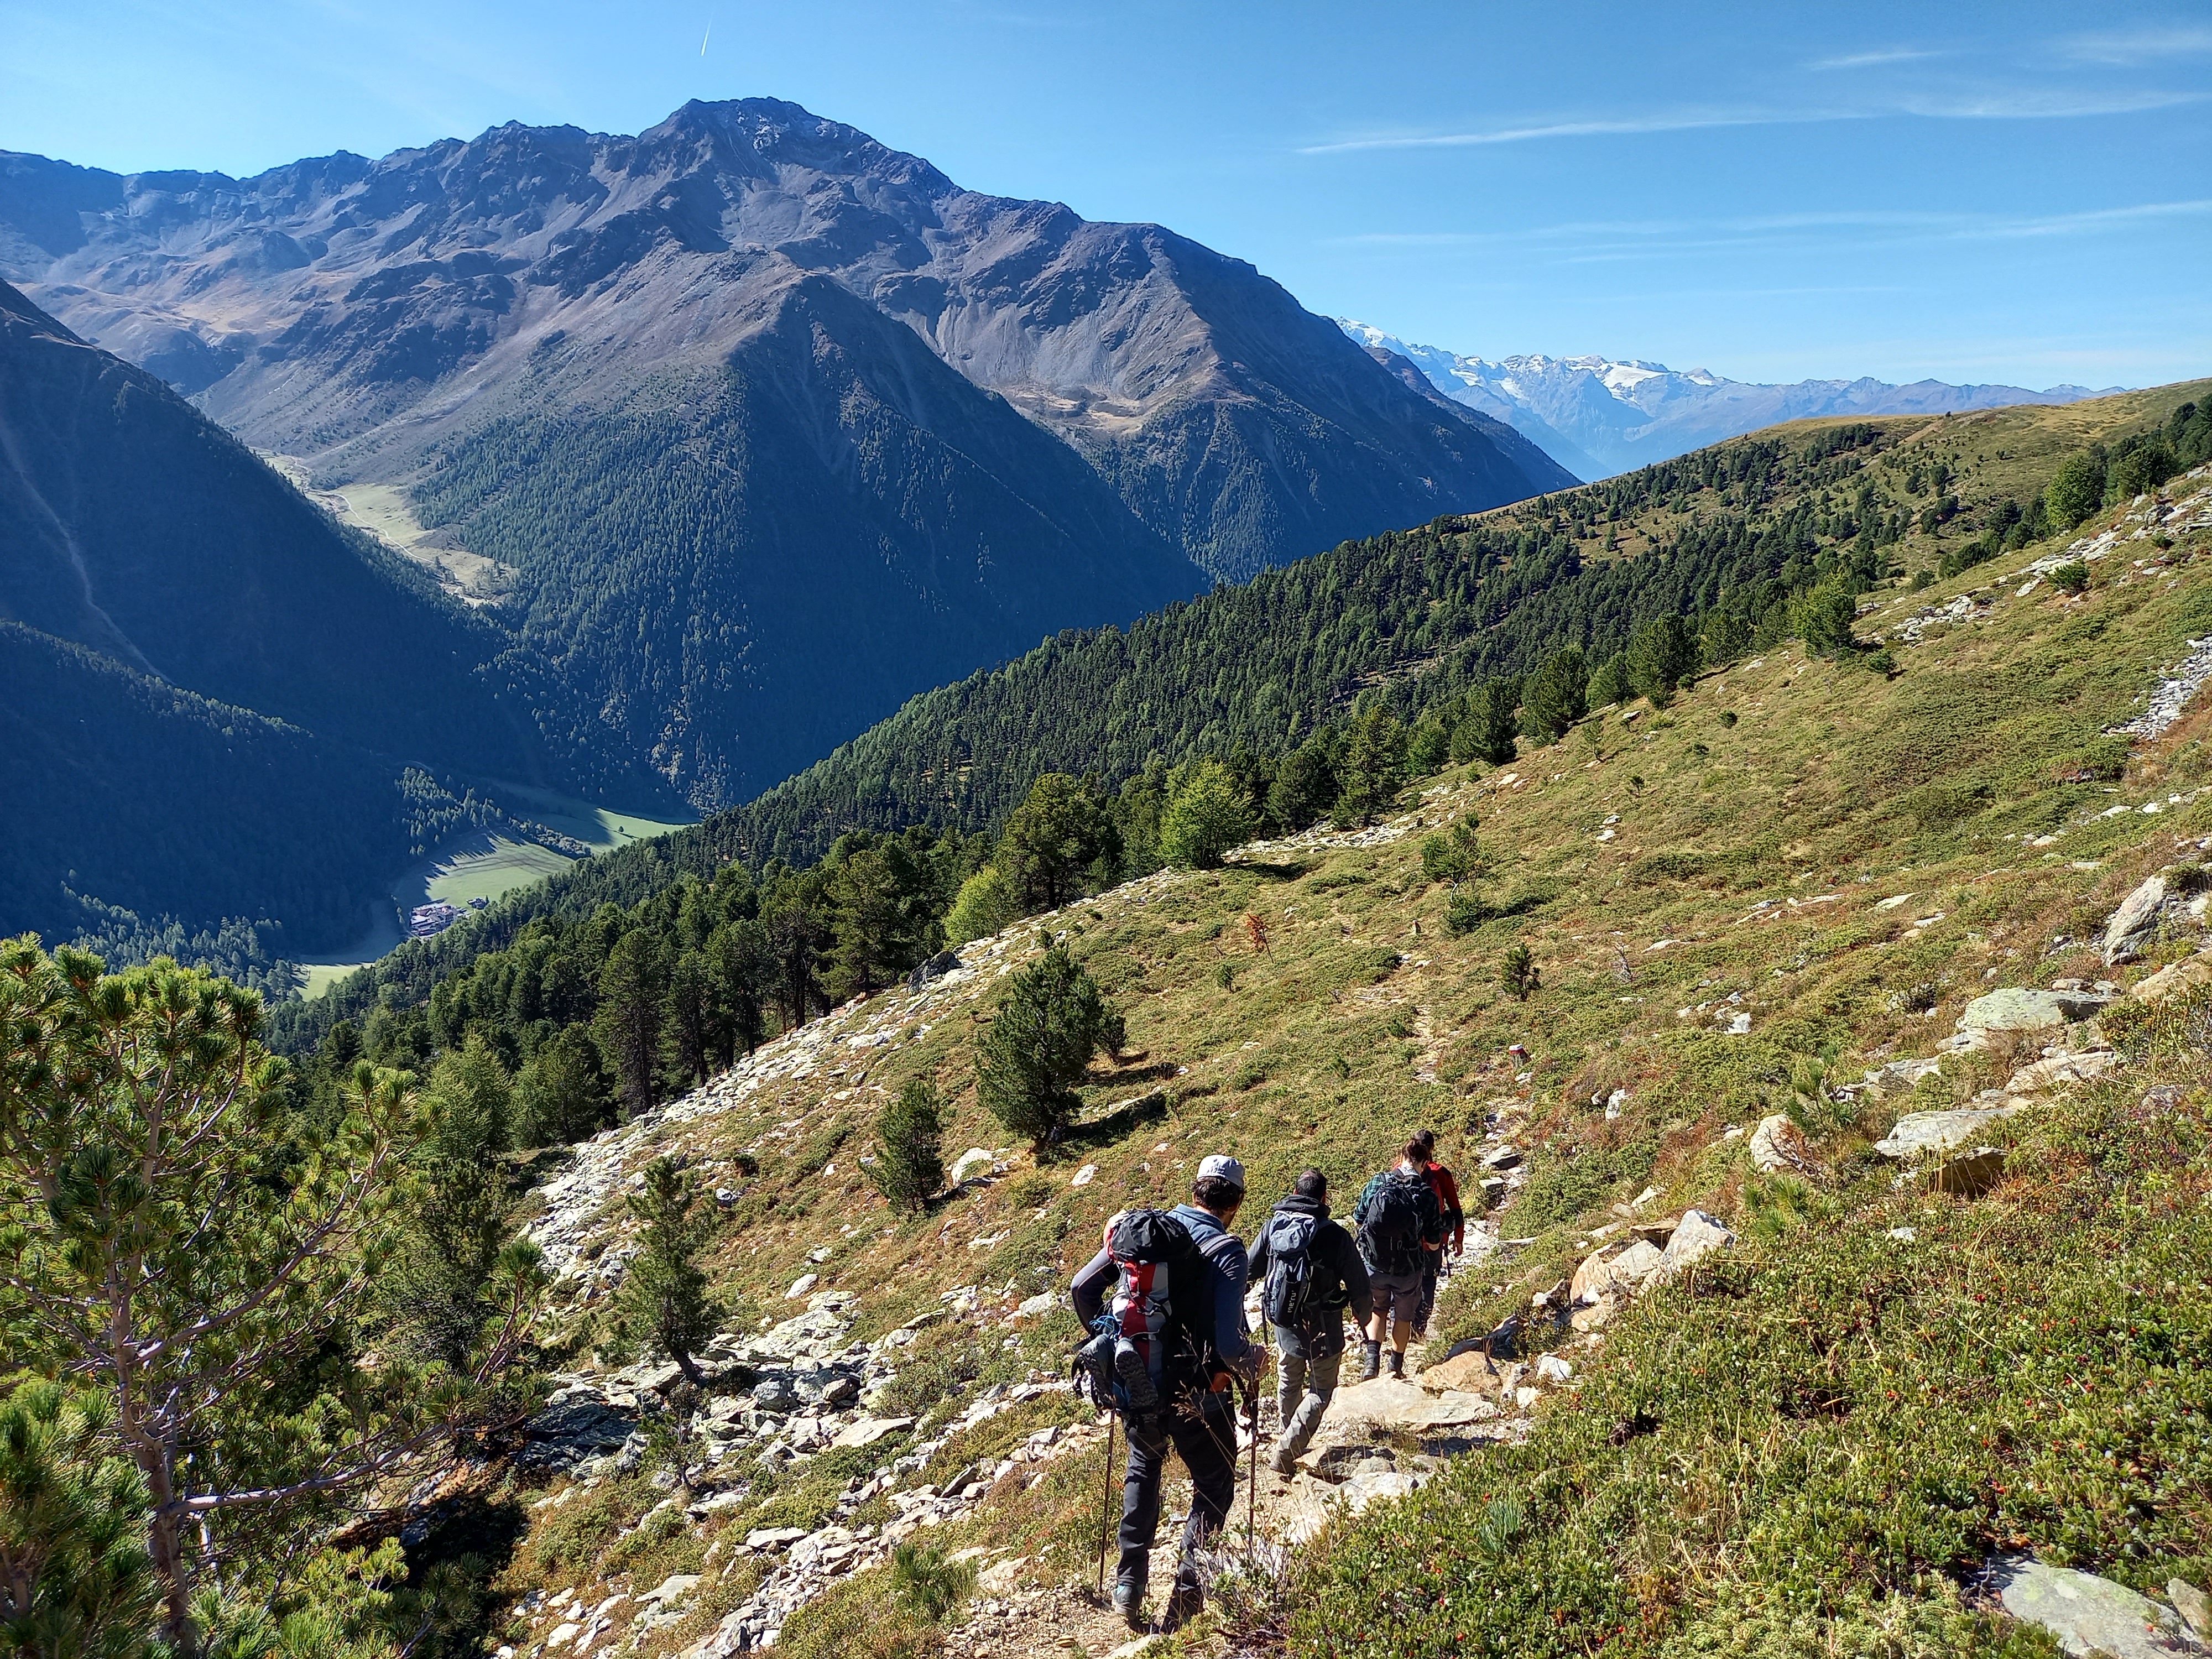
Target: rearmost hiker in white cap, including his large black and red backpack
{"type": "Point", "coordinates": [1178, 1342]}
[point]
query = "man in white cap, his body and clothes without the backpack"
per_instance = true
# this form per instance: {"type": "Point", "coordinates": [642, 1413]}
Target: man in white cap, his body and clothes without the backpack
{"type": "Point", "coordinates": [1191, 1375]}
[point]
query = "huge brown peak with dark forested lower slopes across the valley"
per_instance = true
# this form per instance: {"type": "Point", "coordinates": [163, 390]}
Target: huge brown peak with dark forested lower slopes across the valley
{"type": "Point", "coordinates": [773, 424]}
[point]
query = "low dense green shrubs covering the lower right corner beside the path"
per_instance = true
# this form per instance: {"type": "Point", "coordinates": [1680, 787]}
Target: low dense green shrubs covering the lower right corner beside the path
{"type": "Point", "coordinates": [1811, 1446]}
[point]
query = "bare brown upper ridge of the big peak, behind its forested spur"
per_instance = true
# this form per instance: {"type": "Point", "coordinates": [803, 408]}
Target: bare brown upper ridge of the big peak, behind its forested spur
{"type": "Point", "coordinates": [364, 313]}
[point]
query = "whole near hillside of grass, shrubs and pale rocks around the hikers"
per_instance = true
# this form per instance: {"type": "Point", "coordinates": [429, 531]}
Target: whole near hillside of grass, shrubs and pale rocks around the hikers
{"type": "Point", "coordinates": [1837, 1253]}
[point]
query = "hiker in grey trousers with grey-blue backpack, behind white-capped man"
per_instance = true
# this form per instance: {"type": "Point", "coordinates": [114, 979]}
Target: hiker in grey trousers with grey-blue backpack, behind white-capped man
{"type": "Point", "coordinates": [1311, 1275]}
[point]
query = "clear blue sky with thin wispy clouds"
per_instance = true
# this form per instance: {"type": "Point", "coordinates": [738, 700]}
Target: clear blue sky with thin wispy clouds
{"type": "Point", "coordinates": [1961, 191]}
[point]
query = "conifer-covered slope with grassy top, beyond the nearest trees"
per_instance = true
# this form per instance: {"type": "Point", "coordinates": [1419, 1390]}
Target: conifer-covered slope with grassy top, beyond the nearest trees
{"type": "Point", "coordinates": [1193, 680]}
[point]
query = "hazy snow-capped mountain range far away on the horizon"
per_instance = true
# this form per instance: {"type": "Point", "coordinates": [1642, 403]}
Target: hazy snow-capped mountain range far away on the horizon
{"type": "Point", "coordinates": [1603, 417]}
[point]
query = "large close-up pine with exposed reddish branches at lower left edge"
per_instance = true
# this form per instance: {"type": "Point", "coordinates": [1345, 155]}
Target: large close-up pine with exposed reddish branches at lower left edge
{"type": "Point", "coordinates": [207, 1264]}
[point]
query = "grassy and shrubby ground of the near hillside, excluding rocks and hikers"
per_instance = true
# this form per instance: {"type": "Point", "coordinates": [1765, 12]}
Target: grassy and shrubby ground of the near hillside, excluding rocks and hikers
{"type": "Point", "coordinates": [1804, 1452]}
